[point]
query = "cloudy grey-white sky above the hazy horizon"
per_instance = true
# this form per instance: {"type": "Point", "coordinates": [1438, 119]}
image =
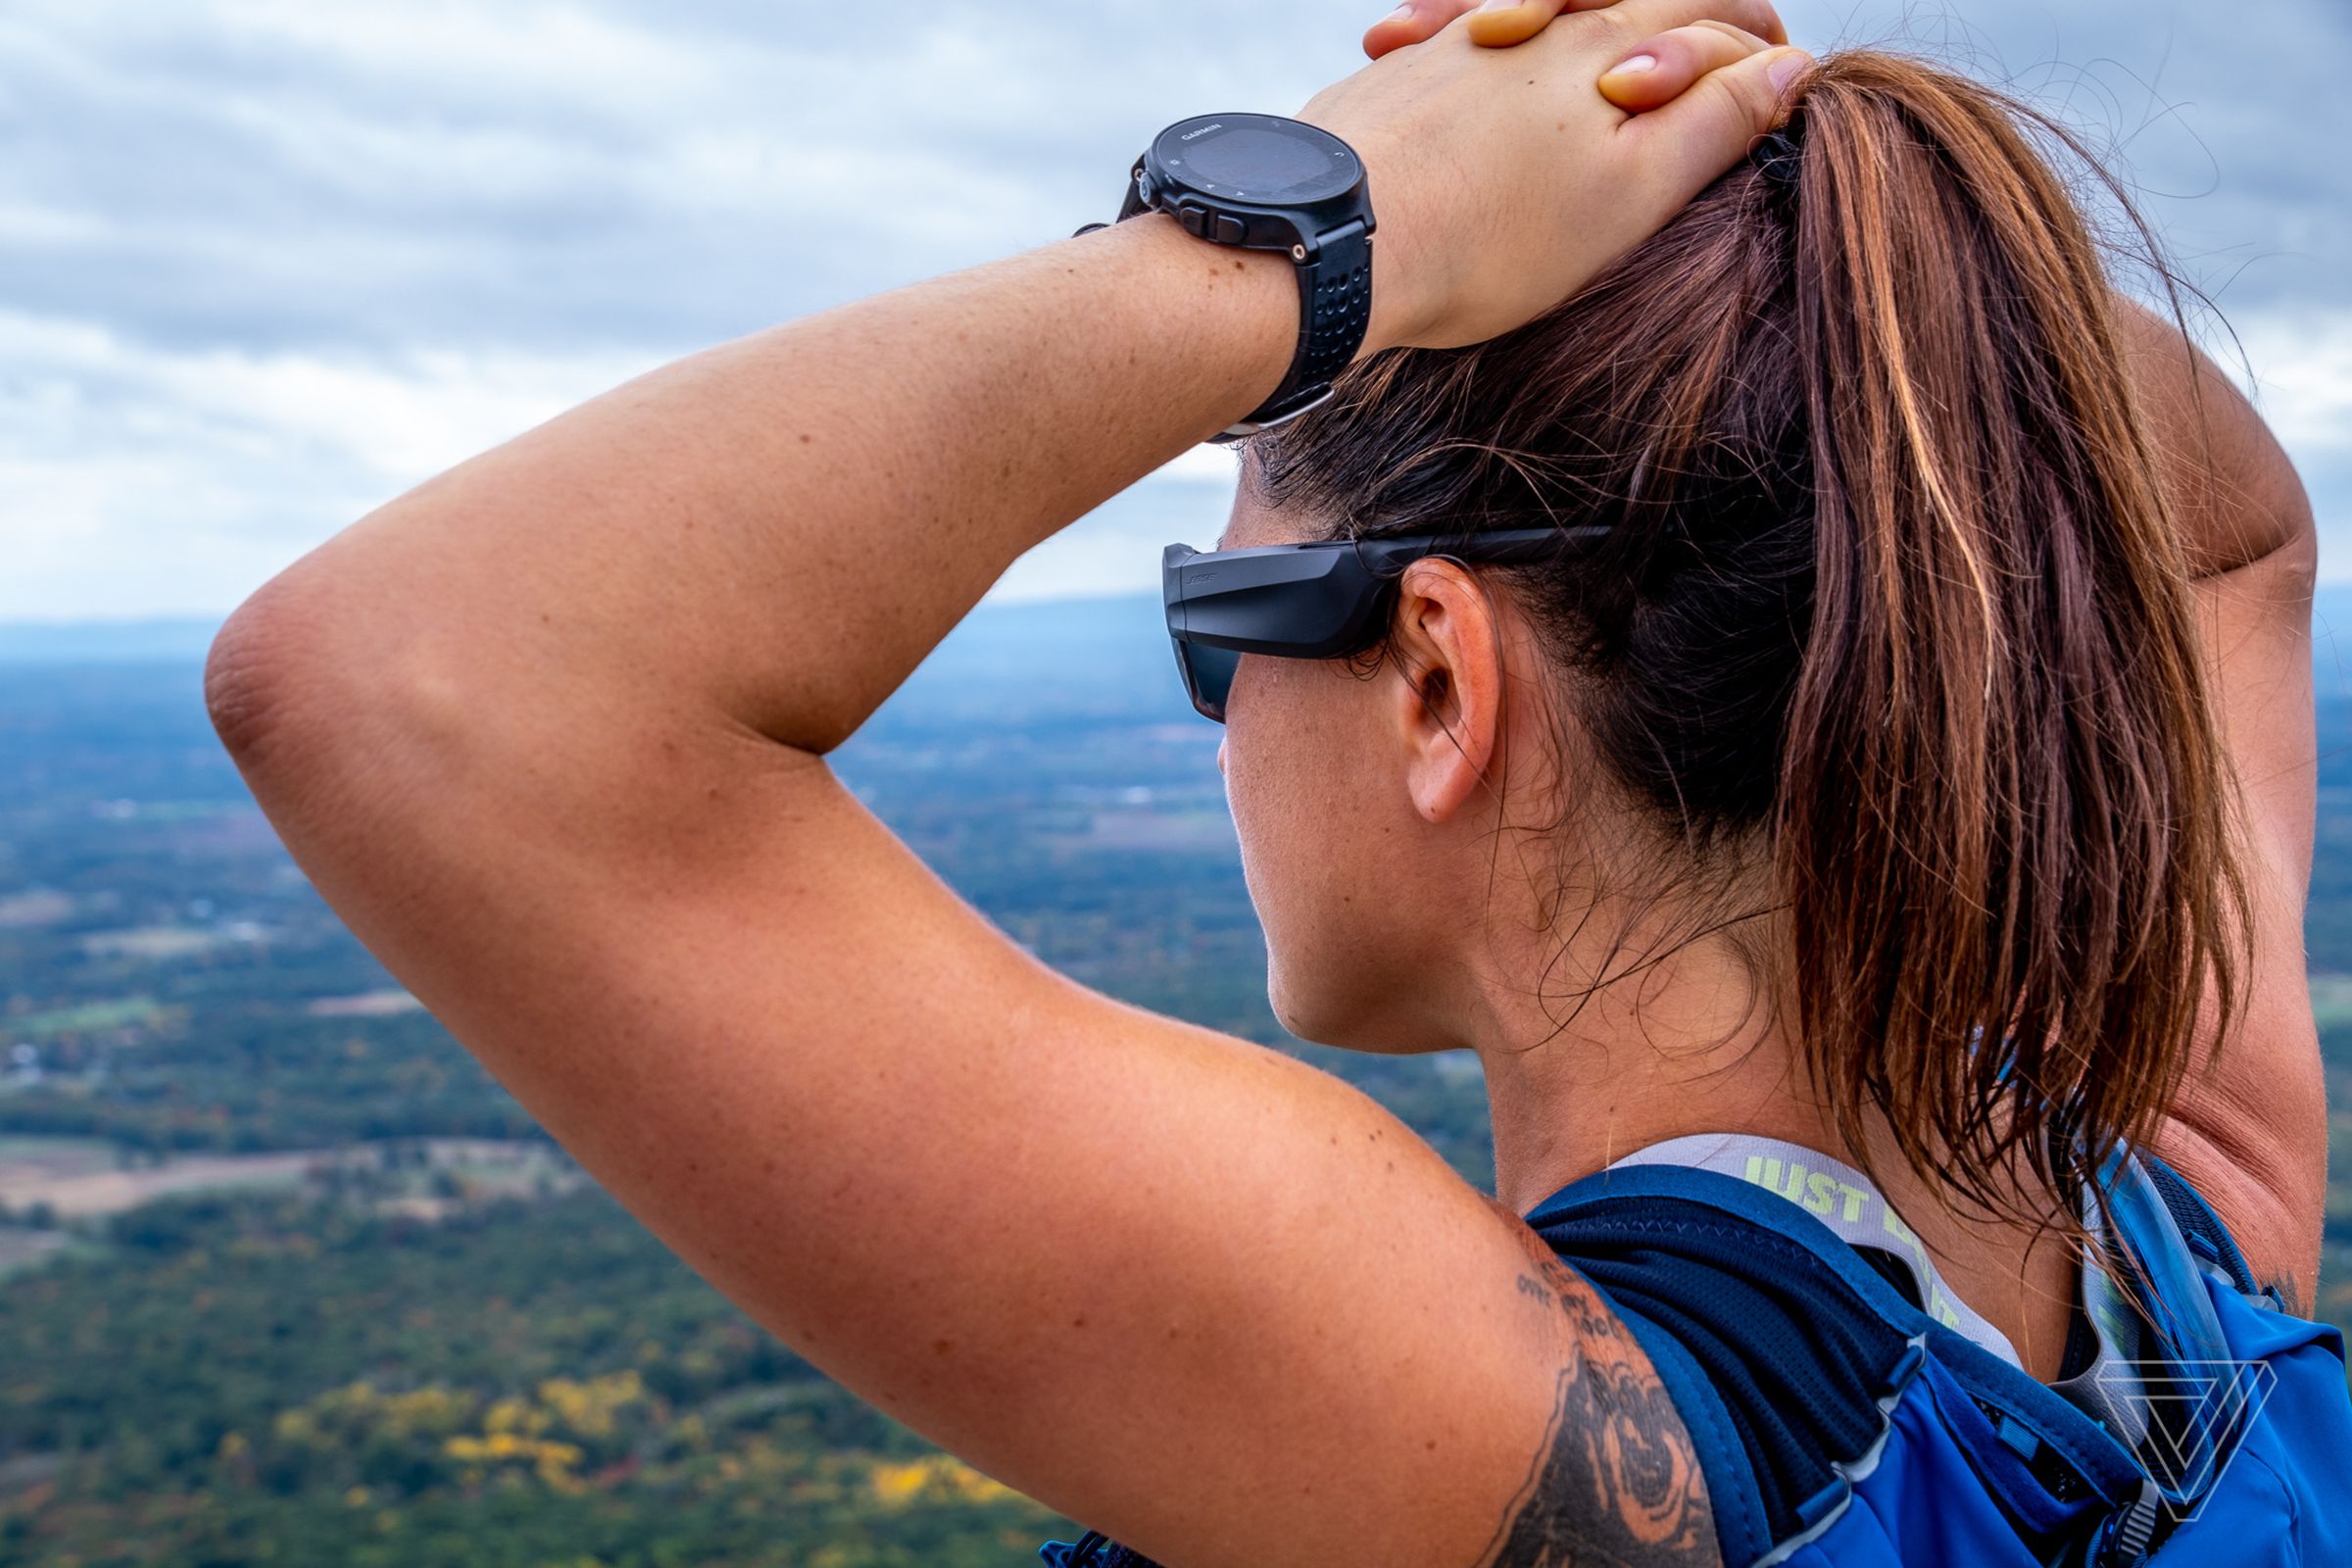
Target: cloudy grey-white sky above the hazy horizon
{"type": "Point", "coordinates": [272, 262]}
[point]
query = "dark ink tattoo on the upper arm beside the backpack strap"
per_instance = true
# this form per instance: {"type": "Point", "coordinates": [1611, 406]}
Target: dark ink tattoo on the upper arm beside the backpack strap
{"type": "Point", "coordinates": [1617, 1477]}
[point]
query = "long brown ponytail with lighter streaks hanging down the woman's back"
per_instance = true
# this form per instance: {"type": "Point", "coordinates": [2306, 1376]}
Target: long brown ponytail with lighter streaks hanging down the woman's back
{"type": "Point", "coordinates": [2000, 810]}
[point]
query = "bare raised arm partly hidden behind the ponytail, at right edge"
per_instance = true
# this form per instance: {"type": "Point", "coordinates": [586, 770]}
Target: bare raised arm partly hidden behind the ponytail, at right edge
{"type": "Point", "coordinates": [2250, 1127]}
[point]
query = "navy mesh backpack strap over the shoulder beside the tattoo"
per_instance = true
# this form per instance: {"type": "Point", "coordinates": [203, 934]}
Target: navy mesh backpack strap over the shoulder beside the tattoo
{"type": "Point", "coordinates": [1786, 1355]}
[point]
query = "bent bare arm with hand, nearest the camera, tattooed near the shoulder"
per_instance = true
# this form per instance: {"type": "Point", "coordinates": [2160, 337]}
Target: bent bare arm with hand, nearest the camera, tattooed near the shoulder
{"type": "Point", "coordinates": [549, 735]}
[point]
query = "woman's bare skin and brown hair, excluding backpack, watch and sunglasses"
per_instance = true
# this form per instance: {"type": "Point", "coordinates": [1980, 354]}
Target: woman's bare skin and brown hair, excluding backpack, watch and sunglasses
{"type": "Point", "coordinates": [1942, 678]}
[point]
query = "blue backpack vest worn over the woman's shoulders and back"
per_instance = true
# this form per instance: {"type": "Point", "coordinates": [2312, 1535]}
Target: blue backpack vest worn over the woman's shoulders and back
{"type": "Point", "coordinates": [1845, 1426]}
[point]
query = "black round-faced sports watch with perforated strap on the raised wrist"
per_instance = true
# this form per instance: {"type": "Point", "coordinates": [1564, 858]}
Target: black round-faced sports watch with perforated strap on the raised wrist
{"type": "Point", "coordinates": [1274, 185]}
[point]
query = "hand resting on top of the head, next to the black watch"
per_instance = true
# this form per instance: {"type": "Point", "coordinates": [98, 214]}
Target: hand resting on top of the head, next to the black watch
{"type": "Point", "coordinates": [1509, 177]}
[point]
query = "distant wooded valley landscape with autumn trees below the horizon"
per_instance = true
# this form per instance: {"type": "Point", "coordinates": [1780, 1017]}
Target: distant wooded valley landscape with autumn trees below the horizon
{"type": "Point", "coordinates": [288, 1278]}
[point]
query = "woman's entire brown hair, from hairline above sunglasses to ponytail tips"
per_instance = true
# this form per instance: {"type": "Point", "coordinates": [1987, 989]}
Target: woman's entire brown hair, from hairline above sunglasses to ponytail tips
{"type": "Point", "coordinates": [1892, 610]}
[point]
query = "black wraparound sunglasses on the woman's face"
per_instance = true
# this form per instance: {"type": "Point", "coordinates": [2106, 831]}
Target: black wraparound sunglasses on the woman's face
{"type": "Point", "coordinates": [1316, 601]}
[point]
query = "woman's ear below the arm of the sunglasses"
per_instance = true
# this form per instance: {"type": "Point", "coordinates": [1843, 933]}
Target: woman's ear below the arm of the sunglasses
{"type": "Point", "coordinates": [1445, 695]}
